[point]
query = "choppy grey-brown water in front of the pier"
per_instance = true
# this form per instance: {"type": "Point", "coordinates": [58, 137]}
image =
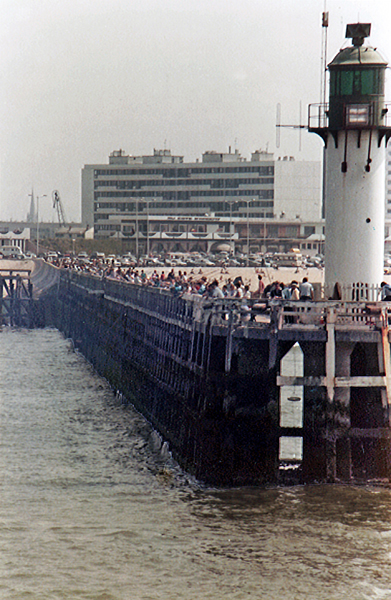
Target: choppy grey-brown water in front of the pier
{"type": "Point", "coordinates": [91, 508]}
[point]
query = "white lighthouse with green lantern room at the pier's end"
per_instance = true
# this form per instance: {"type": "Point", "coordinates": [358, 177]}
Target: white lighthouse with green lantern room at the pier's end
{"type": "Point", "coordinates": [354, 128]}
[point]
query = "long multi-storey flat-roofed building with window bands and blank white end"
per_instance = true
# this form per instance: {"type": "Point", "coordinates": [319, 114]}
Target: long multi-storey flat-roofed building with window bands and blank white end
{"type": "Point", "coordinates": [132, 192]}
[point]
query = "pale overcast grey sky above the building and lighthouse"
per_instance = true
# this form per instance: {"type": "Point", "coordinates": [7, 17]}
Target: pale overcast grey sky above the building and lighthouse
{"type": "Point", "coordinates": [81, 78]}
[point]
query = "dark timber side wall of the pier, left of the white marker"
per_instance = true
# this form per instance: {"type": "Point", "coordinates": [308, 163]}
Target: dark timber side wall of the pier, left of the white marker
{"type": "Point", "coordinates": [161, 352]}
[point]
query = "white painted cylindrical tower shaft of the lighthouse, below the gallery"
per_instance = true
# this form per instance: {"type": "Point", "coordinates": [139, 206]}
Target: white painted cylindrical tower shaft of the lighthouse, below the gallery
{"type": "Point", "coordinates": [355, 200]}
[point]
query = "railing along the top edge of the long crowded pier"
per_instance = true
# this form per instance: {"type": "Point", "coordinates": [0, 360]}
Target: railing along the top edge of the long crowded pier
{"type": "Point", "coordinates": [255, 312]}
